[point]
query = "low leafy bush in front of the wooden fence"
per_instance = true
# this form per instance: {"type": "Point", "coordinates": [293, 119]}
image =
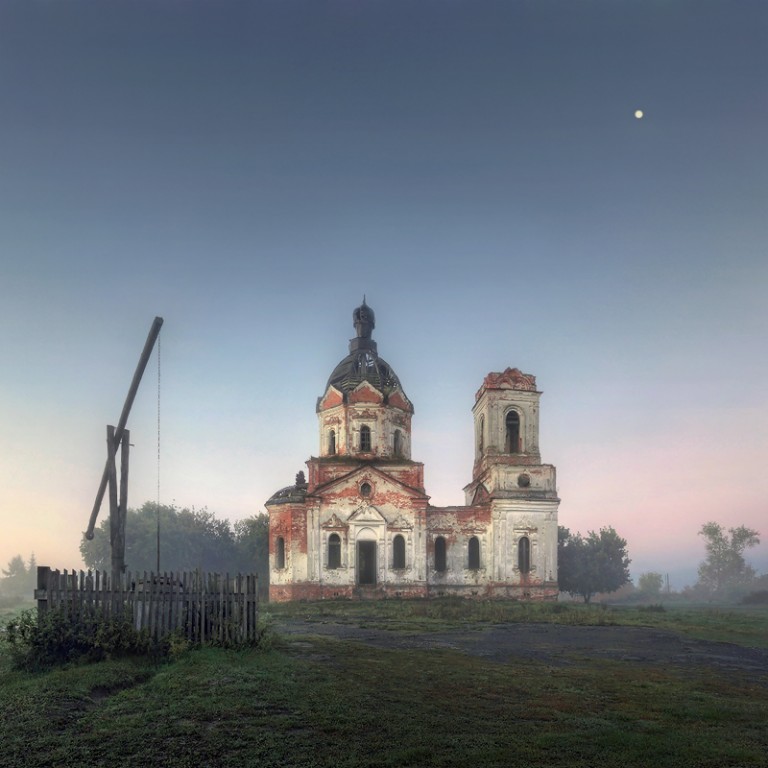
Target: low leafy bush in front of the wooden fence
{"type": "Point", "coordinates": [60, 637]}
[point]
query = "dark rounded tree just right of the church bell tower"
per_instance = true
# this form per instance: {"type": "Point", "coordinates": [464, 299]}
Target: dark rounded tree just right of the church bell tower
{"type": "Point", "coordinates": [591, 564]}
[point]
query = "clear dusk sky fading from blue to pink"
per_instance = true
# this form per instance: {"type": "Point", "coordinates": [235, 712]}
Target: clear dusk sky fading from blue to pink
{"type": "Point", "coordinates": [249, 170]}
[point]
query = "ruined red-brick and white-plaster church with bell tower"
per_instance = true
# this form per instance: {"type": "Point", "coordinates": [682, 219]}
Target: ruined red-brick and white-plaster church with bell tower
{"type": "Point", "coordinates": [360, 525]}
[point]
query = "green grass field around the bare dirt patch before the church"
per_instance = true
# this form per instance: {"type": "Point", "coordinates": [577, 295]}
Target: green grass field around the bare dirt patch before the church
{"type": "Point", "coordinates": [313, 701]}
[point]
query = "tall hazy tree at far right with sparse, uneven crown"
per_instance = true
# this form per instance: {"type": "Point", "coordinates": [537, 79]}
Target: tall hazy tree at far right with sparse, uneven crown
{"type": "Point", "coordinates": [724, 570]}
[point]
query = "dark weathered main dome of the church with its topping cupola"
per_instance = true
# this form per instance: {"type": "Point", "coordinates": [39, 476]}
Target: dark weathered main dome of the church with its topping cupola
{"type": "Point", "coordinates": [363, 362]}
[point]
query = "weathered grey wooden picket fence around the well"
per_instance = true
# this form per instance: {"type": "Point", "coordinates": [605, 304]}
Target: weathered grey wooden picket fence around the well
{"type": "Point", "coordinates": [203, 607]}
